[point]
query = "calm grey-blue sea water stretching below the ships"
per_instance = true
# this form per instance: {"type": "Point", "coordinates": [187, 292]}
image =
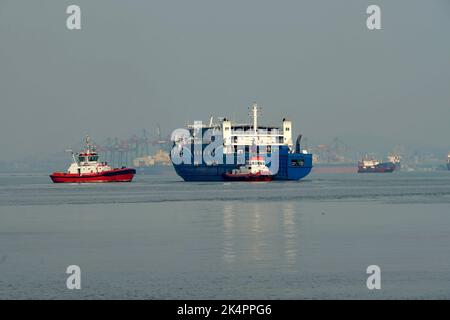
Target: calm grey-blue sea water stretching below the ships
{"type": "Point", "coordinates": [161, 238]}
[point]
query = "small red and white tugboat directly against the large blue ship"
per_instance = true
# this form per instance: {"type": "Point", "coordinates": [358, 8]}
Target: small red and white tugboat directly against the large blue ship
{"type": "Point", "coordinates": [254, 170]}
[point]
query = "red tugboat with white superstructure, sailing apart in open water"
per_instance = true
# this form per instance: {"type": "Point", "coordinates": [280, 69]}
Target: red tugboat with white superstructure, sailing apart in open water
{"type": "Point", "coordinates": [86, 169]}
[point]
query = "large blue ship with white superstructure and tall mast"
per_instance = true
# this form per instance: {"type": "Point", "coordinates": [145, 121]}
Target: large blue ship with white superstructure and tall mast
{"type": "Point", "coordinates": [207, 152]}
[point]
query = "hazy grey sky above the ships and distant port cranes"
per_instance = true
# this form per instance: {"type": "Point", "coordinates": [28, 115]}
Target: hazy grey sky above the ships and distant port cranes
{"type": "Point", "coordinates": [138, 63]}
